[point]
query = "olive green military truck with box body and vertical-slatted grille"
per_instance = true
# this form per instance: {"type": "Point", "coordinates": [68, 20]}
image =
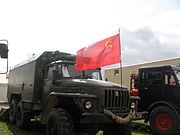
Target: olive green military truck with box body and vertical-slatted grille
{"type": "Point", "coordinates": [67, 102]}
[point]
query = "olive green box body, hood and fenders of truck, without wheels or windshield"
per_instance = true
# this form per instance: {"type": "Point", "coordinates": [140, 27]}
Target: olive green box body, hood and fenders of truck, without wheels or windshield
{"type": "Point", "coordinates": [29, 81]}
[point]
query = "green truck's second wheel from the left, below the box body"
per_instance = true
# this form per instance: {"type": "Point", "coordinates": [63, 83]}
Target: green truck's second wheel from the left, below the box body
{"type": "Point", "coordinates": [22, 118]}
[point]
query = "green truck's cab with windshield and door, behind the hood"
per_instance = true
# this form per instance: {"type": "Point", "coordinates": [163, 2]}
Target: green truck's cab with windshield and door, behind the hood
{"type": "Point", "coordinates": [61, 71]}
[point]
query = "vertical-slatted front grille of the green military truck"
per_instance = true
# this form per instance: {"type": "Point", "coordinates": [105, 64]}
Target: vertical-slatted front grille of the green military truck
{"type": "Point", "coordinates": [117, 100]}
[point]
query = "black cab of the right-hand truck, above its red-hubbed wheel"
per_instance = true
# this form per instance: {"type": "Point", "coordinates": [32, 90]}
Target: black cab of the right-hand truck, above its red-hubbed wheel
{"type": "Point", "coordinates": [159, 83]}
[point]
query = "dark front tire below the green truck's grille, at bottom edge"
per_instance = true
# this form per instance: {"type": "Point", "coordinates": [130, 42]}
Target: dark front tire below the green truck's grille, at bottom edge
{"type": "Point", "coordinates": [117, 129]}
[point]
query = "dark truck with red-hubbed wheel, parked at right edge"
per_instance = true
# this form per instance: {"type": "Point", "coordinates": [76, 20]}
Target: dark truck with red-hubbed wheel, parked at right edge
{"type": "Point", "coordinates": [159, 90]}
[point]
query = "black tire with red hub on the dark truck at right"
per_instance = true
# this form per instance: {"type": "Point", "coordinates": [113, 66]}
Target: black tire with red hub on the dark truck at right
{"type": "Point", "coordinates": [163, 121]}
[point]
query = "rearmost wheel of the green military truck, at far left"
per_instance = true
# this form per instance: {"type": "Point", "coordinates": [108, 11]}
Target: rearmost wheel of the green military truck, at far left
{"type": "Point", "coordinates": [12, 110]}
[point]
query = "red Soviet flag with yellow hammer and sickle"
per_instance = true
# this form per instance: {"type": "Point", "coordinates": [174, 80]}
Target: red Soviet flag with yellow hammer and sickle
{"type": "Point", "coordinates": [102, 53]}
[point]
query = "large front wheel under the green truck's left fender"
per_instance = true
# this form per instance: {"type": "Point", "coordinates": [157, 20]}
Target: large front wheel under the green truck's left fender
{"type": "Point", "coordinates": [59, 123]}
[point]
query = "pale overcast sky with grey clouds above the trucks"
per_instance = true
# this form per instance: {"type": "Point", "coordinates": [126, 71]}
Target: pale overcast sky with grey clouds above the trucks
{"type": "Point", "coordinates": [150, 29]}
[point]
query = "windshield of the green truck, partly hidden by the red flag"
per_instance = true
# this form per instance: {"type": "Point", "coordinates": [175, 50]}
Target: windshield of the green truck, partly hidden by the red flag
{"type": "Point", "coordinates": [69, 72]}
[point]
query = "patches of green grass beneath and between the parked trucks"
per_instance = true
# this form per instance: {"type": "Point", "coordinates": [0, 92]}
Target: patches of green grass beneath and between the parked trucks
{"type": "Point", "coordinates": [37, 129]}
